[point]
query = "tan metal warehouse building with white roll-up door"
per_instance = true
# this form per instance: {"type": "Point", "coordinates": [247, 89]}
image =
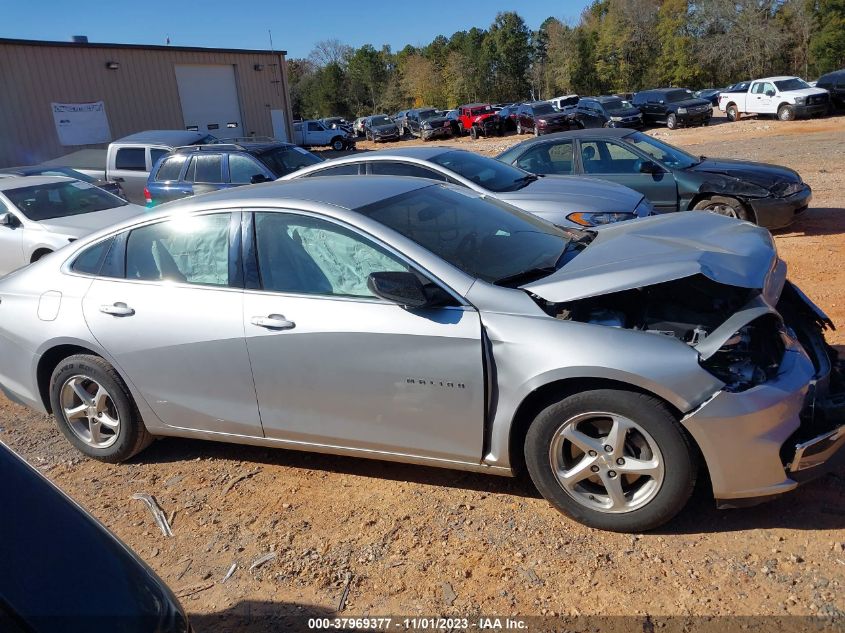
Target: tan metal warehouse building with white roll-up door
{"type": "Point", "coordinates": [59, 97]}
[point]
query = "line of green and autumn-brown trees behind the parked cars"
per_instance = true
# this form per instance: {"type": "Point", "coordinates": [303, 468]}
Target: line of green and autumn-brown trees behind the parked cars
{"type": "Point", "coordinates": [616, 46]}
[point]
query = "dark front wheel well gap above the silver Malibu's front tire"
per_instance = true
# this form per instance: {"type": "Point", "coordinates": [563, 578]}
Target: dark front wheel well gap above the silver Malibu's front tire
{"type": "Point", "coordinates": [553, 392]}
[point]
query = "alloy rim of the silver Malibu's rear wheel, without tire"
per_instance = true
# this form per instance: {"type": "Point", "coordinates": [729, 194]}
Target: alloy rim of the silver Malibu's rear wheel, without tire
{"type": "Point", "coordinates": [90, 411]}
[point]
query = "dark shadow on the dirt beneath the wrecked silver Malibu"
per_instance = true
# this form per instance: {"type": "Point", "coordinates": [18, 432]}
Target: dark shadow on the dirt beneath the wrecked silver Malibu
{"type": "Point", "coordinates": [818, 505]}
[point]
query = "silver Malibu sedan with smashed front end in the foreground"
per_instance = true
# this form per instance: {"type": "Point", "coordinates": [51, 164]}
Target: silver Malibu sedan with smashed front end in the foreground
{"type": "Point", "coordinates": [406, 320]}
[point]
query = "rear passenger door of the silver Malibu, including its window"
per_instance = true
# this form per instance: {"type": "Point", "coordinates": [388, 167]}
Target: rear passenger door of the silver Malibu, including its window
{"type": "Point", "coordinates": [172, 319]}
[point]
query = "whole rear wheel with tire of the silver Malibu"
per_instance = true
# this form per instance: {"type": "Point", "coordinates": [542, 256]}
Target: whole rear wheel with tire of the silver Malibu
{"type": "Point", "coordinates": [95, 411]}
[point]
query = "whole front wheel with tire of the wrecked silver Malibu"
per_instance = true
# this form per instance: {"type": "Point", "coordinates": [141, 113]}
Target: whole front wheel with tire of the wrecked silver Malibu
{"type": "Point", "coordinates": [611, 459]}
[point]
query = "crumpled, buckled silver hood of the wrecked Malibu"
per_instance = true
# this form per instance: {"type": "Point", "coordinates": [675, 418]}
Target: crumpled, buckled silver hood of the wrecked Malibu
{"type": "Point", "coordinates": [663, 248]}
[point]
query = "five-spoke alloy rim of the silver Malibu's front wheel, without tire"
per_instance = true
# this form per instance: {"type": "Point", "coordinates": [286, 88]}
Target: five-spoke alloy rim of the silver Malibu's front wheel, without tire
{"type": "Point", "coordinates": [606, 462]}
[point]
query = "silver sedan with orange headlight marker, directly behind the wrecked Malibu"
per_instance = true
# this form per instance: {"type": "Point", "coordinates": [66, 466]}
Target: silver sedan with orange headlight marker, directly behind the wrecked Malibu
{"type": "Point", "coordinates": [564, 200]}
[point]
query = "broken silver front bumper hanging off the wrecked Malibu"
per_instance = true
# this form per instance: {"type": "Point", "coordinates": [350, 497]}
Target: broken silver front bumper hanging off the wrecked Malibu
{"type": "Point", "coordinates": [767, 440]}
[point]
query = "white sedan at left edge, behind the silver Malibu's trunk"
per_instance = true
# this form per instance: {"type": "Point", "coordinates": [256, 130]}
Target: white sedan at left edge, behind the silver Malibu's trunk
{"type": "Point", "coordinates": [41, 214]}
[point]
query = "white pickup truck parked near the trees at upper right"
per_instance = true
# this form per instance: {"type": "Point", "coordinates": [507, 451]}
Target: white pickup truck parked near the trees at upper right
{"type": "Point", "coordinates": [786, 97]}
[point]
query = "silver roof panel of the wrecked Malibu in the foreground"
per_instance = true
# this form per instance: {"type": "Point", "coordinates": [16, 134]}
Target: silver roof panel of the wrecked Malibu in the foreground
{"type": "Point", "coordinates": [348, 192]}
